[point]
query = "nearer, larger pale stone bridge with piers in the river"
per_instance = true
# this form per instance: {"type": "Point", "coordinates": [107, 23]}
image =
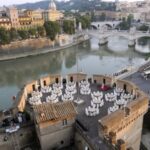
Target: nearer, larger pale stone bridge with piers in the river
{"type": "Point", "coordinates": [103, 36]}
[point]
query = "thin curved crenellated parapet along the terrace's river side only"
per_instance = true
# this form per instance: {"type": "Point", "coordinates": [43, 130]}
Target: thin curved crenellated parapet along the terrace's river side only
{"type": "Point", "coordinates": [50, 79]}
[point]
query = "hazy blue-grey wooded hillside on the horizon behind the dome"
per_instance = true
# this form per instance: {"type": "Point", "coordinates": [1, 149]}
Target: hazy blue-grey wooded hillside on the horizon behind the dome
{"type": "Point", "coordinates": [81, 5]}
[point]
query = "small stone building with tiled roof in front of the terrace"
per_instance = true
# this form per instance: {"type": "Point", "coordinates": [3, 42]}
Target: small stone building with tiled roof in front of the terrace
{"type": "Point", "coordinates": [55, 124]}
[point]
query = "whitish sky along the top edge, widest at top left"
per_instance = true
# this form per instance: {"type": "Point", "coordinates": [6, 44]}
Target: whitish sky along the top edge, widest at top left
{"type": "Point", "coordinates": [10, 2]}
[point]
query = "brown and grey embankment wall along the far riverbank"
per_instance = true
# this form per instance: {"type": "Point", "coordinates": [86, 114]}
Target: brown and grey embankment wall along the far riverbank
{"type": "Point", "coordinates": [33, 47]}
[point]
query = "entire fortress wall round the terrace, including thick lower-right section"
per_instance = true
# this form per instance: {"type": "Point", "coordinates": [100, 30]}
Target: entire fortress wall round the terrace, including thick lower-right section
{"type": "Point", "coordinates": [121, 129]}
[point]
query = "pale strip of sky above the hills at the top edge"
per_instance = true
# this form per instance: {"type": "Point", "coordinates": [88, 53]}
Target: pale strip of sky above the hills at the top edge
{"type": "Point", "coordinates": [10, 2]}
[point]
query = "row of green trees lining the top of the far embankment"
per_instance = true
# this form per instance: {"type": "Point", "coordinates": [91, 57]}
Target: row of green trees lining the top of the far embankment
{"type": "Point", "coordinates": [49, 29]}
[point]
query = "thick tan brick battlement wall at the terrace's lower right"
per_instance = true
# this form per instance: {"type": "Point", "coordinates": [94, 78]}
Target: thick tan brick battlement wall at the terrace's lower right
{"type": "Point", "coordinates": [125, 124]}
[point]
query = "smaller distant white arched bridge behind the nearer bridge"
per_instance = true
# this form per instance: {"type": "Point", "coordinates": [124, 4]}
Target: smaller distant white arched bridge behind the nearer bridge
{"type": "Point", "coordinates": [109, 24]}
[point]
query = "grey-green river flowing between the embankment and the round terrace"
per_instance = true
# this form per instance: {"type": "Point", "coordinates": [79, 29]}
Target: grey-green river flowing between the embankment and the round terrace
{"type": "Point", "coordinates": [91, 59]}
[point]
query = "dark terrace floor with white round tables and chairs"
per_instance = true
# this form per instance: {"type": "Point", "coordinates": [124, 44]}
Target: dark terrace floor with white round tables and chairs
{"type": "Point", "coordinates": [83, 92]}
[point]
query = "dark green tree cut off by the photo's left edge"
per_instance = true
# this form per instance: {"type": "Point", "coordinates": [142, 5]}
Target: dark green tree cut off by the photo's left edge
{"type": "Point", "coordinates": [4, 36]}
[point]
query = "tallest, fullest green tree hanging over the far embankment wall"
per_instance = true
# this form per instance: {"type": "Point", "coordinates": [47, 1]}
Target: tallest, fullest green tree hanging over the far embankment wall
{"type": "Point", "coordinates": [52, 29]}
